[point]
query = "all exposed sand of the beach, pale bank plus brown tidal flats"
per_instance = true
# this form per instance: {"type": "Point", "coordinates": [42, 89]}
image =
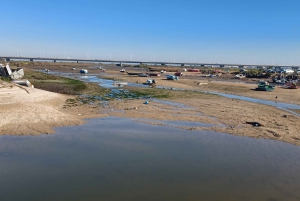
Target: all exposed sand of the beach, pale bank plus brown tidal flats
{"type": "Point", "coordinates": [35, 111]}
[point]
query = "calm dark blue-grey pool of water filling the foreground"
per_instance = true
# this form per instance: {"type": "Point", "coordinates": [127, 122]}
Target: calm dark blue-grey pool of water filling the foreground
{"type": "Point", "coordinates": [119, 159]}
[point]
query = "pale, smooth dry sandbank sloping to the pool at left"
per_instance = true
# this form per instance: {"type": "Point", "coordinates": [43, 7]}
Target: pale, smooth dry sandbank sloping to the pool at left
{"type": "Point", "coordinates": [34, 111]}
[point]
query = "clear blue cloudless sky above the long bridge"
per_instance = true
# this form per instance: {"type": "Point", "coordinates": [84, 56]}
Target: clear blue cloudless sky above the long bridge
{"type": "Point", "coordinates": [232, 31]}
